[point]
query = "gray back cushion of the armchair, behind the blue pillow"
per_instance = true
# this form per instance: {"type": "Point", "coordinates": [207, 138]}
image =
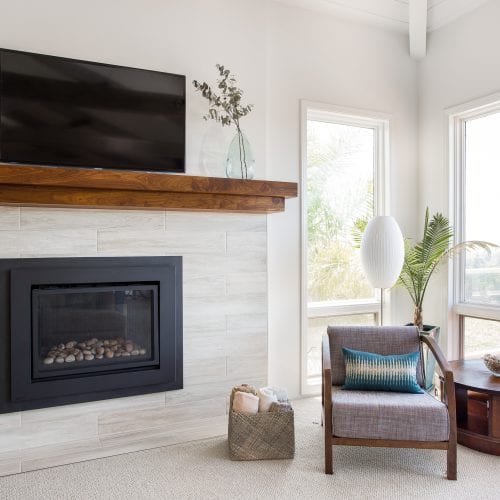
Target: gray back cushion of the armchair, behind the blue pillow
{"type": "Point", "coordinates": [384, 340]}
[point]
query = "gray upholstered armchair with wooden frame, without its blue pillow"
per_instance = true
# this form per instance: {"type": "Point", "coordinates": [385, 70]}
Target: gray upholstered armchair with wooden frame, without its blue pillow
{"type": "Point", "coordinates": [382, 418]}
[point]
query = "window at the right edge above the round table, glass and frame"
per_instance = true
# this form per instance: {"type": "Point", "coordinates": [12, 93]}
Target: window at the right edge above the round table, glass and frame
{"type": "Point", "coordinates": [475, 154]}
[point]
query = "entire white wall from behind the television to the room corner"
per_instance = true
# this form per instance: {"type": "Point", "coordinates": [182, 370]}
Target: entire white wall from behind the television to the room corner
{"type": "Point", "coordinates": [280, 55]}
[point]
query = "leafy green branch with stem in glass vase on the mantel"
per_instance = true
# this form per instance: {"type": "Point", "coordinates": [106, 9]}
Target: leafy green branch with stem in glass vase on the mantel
{"type": "Point", "coordinates": [225, 107]}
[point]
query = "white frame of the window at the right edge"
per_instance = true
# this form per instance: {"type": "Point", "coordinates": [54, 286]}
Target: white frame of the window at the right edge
{"type": "Point", "coordinates": [458, 308]}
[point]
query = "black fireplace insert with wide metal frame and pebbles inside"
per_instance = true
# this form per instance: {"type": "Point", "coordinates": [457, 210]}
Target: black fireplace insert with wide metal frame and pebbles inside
{"type": "Point", "coordinates": [83, 329]}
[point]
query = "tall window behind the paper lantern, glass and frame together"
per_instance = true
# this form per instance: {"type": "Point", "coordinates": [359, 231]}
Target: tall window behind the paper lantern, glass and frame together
{"type": "Point", "coordinates": [343, 156]}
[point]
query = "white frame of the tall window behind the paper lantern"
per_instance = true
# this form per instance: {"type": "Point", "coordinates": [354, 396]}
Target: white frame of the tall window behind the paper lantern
{"type": "Point", "coordinates": [380, 123]}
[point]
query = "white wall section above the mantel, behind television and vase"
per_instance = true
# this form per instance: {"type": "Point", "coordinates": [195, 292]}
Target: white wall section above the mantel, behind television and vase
{"type": "Point", "coordinates": [179, 36]}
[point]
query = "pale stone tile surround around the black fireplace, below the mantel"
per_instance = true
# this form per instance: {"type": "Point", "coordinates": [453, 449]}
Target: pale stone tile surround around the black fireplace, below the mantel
{"type": "Point", "coordinates": [225, 328]}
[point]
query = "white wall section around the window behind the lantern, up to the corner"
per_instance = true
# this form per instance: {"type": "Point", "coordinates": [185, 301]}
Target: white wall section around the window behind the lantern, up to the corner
{"type": "Point", "coordinates": [321, 58]}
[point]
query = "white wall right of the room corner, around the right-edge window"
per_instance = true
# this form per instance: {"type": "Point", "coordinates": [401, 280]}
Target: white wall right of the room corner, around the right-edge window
{"type": "Point", "coordinates": [461, 65]}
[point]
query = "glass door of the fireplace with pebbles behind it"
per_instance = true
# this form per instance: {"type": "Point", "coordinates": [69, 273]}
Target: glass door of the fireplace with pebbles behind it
{"type": "Point", "coordinates": [86, 329]}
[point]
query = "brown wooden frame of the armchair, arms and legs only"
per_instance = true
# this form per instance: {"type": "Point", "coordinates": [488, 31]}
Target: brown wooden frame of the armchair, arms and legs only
{"type": "Point", "coordinates": [449, 399]}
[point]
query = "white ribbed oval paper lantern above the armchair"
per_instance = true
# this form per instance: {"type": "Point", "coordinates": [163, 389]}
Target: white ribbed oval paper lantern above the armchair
{"type": "Point", "coordinates": [382, 251]}
